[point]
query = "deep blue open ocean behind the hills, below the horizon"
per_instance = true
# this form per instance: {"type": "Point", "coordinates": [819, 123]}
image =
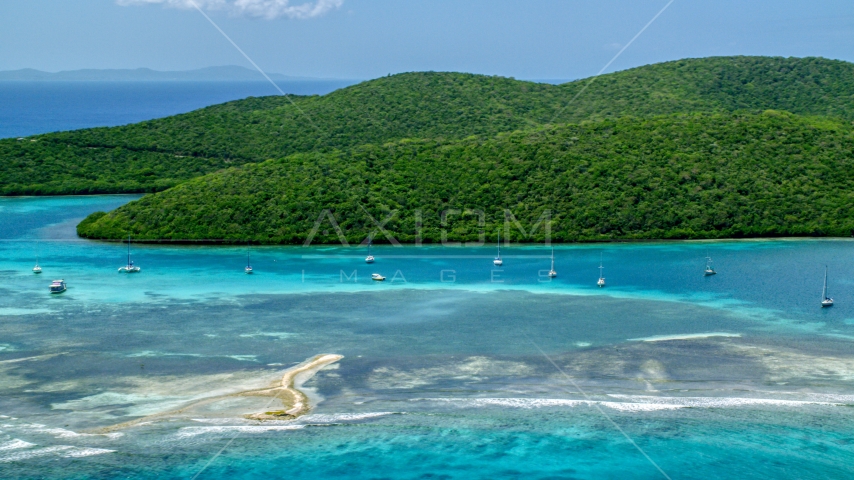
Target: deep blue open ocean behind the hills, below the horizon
{"type": "Point", "coordinates": [29, 108]}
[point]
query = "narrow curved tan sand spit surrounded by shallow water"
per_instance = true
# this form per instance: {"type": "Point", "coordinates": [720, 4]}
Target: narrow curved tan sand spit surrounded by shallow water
{"type": "Point", "coordinates": [294, 402]}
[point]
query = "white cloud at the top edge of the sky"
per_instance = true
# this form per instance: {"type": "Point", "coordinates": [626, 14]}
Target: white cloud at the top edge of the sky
{"type": "Point", "coordinates": [268, 9]}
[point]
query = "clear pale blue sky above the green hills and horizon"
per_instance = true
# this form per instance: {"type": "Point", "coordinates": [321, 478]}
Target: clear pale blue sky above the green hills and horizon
{"type": "Point", "coordinates": [533, 39]}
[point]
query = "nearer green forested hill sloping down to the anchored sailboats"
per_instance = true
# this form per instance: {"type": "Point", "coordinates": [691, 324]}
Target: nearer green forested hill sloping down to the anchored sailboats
{"type": "Point", "coordinates": [675, 176]}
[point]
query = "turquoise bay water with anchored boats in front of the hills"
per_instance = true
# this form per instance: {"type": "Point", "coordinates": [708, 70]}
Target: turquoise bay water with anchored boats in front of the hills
{"type": "Point", "coordinates": [451, 368]}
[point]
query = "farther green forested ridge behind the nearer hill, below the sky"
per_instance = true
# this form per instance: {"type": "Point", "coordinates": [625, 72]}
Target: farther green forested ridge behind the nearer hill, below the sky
{"type": "Point", "coordinates": [415, 105]}
